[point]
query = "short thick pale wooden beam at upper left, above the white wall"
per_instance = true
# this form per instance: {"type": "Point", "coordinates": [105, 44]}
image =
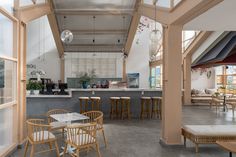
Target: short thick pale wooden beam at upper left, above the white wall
{"type": "Point", "coordinates": [29, 13]}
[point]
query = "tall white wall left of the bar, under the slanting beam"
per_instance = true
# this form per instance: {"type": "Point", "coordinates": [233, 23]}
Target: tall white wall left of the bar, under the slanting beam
{"type": "Point", "coordinates": [41, 49]}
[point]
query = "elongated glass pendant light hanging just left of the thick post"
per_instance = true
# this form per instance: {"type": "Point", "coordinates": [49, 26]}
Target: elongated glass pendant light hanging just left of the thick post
{"type": "Point", "coordinates": [155, 37]}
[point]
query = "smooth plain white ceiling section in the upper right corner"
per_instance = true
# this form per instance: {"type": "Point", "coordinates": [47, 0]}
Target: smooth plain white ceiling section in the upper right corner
{"type": "Point", "coordinates": [219, 18]}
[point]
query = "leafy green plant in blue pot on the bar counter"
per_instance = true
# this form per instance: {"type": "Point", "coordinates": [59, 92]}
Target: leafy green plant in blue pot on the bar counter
{"type": "Point", "coordinates": [86, 78]}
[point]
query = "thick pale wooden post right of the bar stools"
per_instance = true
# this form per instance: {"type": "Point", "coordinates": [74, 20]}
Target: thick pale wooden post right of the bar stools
{"type": "Point", "coordinates": [172, 104]}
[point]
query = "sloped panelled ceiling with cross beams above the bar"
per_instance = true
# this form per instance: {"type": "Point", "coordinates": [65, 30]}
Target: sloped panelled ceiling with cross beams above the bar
{"type": "Point", "coordinates": [109, 28]}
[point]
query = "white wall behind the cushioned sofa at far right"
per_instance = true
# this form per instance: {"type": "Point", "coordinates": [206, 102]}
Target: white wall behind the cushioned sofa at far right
{"type": "Point", "coordinates": [201, 81]}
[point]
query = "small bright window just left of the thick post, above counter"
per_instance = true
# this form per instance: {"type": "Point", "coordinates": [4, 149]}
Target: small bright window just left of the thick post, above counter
{"type": "Point", "coordinates": [156, 77]}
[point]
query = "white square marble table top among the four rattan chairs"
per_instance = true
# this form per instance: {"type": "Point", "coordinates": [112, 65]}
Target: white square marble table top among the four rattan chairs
{"type": "Point", "coordinates": [69, 117]}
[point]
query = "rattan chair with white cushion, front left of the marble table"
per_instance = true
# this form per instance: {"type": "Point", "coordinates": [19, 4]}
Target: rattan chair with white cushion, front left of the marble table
{"type": "Point", "coordinates": [39, 133]}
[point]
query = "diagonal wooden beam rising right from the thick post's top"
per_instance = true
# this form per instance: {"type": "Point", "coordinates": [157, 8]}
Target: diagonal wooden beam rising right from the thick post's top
{"type": "Point", "coordinates": [189, 10]}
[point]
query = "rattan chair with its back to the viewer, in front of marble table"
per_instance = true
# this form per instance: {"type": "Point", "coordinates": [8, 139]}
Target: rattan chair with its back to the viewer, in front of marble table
{"type": "Point", "coordinates": [82, 136]}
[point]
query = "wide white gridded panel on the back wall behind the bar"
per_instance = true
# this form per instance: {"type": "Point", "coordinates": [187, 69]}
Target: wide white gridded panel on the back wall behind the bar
{"type": "Point", "coordinates": [105, 65]}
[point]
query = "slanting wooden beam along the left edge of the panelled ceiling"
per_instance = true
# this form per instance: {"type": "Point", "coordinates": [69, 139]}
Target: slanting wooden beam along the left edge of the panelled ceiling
{"type": "Point", "coordinates": [55, 31]}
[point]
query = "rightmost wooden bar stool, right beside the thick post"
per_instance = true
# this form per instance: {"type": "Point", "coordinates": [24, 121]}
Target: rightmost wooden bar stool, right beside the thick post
{"type": "Point", "coordinates": [156, 106]}
